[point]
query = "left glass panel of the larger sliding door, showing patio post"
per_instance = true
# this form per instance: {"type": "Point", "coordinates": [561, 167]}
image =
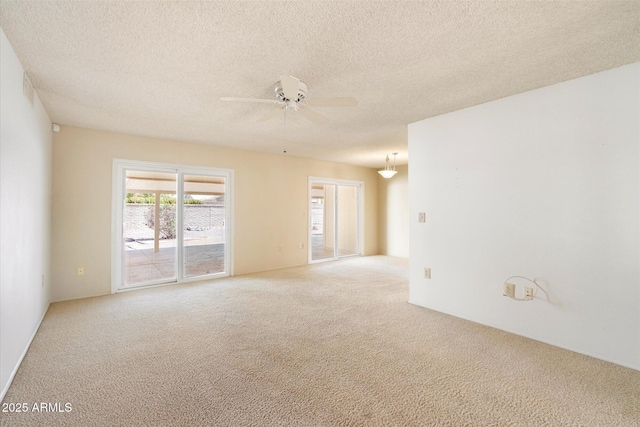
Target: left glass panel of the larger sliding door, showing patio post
{"type": "Point", "coordinates": [149, 228]}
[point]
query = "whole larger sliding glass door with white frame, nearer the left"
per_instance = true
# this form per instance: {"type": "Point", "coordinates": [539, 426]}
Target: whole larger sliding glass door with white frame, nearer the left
{"type": "Point", "coordinates": [171, 224]}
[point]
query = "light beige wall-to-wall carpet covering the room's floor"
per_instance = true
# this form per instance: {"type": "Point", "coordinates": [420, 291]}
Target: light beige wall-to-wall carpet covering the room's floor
{"type": "Point", "coordinates": [332, 344]}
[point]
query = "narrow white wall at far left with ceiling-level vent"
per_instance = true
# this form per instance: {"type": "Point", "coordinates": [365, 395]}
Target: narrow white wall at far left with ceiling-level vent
{"type": "Point", "coordinates": [25, 193]}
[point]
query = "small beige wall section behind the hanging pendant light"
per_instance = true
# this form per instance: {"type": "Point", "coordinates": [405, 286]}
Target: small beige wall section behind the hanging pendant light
{"type": "Point", "coordinates": [393, 214]}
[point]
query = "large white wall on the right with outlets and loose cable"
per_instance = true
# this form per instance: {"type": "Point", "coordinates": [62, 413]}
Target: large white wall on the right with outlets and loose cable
{"type": "Point", "coordinates": [544, 184]}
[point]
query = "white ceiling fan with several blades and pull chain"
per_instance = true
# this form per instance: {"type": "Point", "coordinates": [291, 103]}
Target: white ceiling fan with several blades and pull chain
{"type": "Point", "coordinates": [291, 94]}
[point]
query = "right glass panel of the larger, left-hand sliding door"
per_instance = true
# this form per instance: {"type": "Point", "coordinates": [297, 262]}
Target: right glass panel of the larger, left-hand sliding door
{"type": "Point", "coordinates": [203, 221]}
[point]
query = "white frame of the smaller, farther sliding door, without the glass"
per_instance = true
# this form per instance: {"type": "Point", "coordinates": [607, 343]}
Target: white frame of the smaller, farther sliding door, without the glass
{"type": "Point", "coordinates": [360, 216]}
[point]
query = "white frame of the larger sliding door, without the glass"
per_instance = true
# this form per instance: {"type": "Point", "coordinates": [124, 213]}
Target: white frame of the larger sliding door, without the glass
{"type": "Point", "coordinates": [118, 192]}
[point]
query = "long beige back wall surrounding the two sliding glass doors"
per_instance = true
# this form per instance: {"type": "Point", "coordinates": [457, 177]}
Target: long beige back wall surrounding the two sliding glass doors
{"type": "Point", "coordinates": [275, 186]}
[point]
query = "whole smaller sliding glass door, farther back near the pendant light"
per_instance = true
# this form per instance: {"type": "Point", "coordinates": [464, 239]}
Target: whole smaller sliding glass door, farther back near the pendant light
{"type": "Point", "coordinates": [335, 225]}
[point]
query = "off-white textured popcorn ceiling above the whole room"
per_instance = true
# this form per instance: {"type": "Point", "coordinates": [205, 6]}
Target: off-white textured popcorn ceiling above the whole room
{"type": "Point", "coordinates": [159, 68]}
